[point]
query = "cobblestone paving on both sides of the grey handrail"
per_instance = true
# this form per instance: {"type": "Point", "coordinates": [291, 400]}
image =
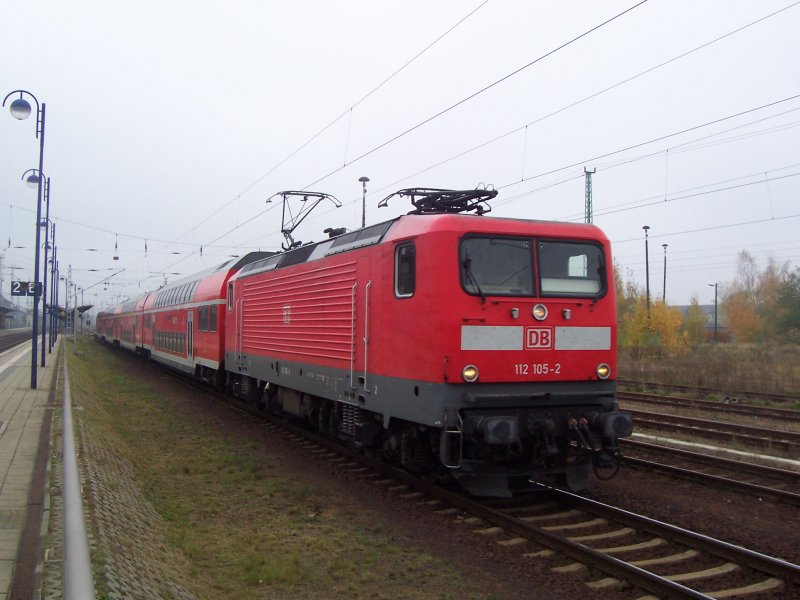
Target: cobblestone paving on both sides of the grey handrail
{"type": "Point", "coordinates": [130, 558]}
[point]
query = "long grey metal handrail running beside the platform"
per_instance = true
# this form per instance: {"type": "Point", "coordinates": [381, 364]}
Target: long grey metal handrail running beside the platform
{"type": "Point", "coordinates": [78, 583]}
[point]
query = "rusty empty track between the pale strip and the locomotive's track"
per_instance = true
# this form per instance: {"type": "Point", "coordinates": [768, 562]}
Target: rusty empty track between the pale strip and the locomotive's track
{"type": "Point", "coordinates": [760, 480]}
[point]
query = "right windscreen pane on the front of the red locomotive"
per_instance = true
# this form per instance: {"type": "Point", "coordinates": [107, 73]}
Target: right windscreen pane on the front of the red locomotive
{"type": "Point", "coordinates": [570, 269]}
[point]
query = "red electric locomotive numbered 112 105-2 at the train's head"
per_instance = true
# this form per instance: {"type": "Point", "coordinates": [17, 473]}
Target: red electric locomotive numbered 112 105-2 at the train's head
{"type": "Point", "coordinates": [484, 347]}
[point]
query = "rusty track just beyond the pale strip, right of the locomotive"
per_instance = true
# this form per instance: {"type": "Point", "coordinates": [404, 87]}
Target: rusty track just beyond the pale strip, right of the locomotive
{"type": "Point", "coordinates": [760, 437]}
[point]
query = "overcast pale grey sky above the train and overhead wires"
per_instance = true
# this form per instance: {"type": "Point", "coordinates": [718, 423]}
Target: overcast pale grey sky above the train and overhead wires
{"type": "Point", "coordinates": [172, 122]}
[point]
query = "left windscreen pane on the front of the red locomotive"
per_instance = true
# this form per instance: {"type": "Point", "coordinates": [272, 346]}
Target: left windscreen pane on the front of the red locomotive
{"type": "Point", "coordinates": [497, 266]}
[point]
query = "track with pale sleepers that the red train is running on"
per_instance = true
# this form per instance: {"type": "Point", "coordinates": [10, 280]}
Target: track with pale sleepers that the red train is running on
{"type": "Point", "coordinates": [616, 548]}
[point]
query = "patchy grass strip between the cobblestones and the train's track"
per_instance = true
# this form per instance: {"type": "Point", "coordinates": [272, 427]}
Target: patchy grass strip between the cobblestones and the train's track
{"type": "Point", "coordinates": [245, 523]}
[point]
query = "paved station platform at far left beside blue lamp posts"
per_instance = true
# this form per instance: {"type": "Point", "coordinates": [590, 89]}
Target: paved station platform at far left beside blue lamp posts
{"type": "Point", "coordinates": [25, 424]}
